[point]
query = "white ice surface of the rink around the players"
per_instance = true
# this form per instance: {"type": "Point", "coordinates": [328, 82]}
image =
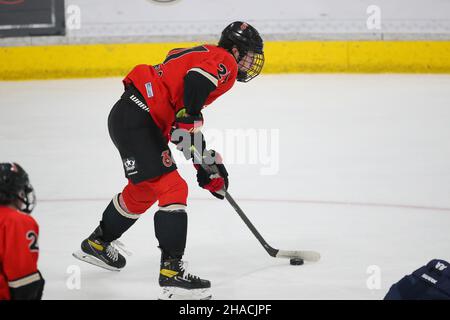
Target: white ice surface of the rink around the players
{"type": "Point", "coordinates": [364, 178]}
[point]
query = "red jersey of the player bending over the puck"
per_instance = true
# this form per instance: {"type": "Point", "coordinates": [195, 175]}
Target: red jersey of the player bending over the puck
{"type": "Point", "coordinates": [162, 85]}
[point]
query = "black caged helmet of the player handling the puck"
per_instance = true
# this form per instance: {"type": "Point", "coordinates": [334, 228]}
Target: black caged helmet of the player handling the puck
{"type": "Point", "coordinates": [248, 42]}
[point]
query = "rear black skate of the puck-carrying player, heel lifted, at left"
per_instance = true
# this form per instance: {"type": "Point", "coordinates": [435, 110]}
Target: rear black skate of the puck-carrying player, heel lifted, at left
{"type": "Point", "coordinates": [96, 251]}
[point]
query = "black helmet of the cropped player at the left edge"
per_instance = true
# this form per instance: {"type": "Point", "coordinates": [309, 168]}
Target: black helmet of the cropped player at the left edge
{"type": "Point", "coordinates": [15, 187]}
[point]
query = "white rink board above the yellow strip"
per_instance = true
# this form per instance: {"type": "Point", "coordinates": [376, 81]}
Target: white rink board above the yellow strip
{"type": "Point", "coordinates": [346, 18]}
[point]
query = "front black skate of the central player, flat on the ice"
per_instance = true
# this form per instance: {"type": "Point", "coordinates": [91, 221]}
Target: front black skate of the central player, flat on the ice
{"type": "Point", "coordinates": [178, 284]}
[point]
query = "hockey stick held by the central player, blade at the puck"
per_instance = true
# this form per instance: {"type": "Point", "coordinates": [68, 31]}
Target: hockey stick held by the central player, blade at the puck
{"type": "Point", "coordinates": [276, 253]}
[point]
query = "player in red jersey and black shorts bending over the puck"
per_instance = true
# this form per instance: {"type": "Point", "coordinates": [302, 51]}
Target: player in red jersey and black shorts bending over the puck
{"type": "Point", "coordinates": [163, 103]}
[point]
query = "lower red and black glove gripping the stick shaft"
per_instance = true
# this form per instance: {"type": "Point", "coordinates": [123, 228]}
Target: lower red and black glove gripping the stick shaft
{"type": "Point", "coordinates": [212, 175]}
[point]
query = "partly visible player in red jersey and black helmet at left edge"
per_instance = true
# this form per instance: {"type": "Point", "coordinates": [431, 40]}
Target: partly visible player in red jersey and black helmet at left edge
{"type": "Point", "coordinates": [20, 278]}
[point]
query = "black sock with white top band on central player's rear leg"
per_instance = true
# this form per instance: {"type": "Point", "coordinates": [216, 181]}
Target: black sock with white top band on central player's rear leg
{"type": "Point", "coordinates": [116, 220]}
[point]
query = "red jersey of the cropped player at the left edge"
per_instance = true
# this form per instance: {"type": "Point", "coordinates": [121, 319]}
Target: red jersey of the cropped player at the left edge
{"type": "Point", "coordinates": [19, 250]}
